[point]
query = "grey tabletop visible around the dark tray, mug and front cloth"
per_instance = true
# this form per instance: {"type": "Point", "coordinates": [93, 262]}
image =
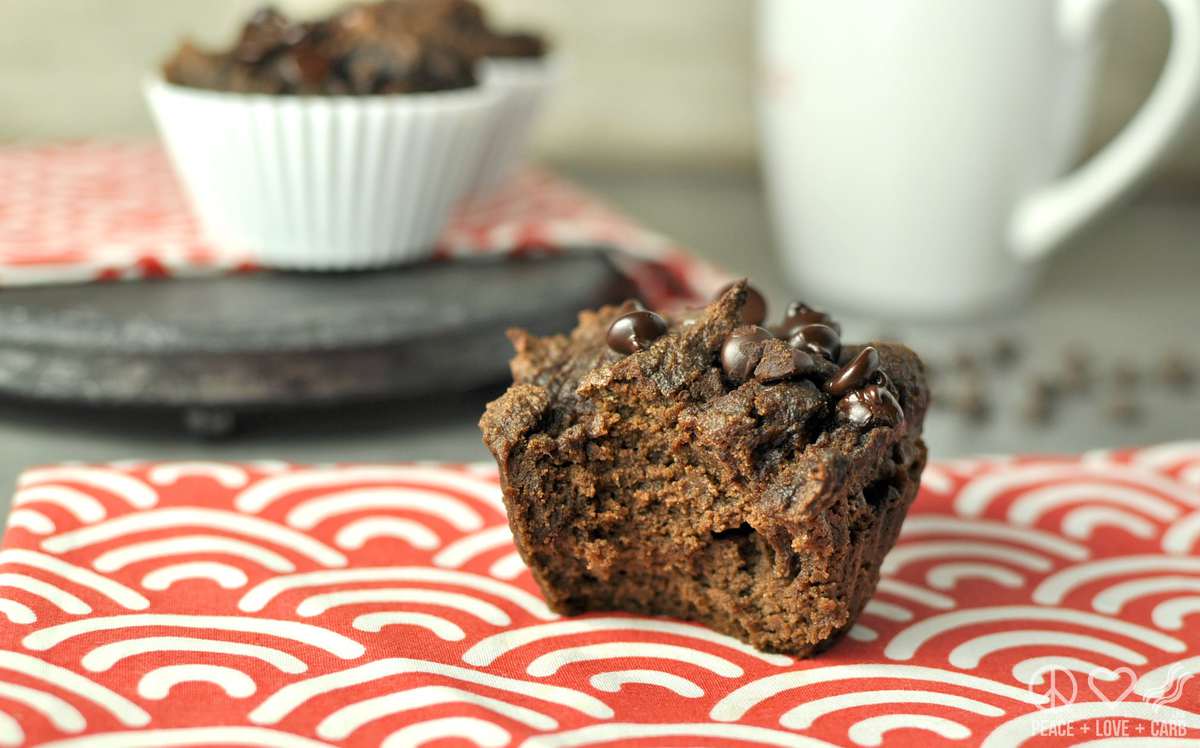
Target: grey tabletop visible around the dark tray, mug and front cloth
{"type": "Point", "coordinates": [1130, 289]}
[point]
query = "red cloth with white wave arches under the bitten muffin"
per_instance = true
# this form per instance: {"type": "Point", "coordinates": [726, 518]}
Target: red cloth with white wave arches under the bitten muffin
{"type": "Point", "coordinates": [1030, 601]}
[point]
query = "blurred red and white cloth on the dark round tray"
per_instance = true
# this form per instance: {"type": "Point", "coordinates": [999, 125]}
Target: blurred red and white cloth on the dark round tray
{"type": "Point", "coordinates": [100, 212]}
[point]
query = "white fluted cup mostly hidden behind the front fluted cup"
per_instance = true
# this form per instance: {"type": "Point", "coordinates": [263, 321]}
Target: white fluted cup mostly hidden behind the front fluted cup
{"type": "Point", "coordinates": [524, 87]}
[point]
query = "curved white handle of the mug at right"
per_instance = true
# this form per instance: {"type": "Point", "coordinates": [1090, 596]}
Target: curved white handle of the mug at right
{"type": "Point", "coordinates": [1051, 216]}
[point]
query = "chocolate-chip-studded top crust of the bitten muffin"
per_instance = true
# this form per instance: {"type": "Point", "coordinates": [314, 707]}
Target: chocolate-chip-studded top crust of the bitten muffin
{"type": "Point", "coordinates": [758, 402]}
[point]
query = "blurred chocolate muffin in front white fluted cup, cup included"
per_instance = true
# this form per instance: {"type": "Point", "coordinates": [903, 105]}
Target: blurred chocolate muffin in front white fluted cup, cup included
{"type": "Point", "coordinates": [297, 146]}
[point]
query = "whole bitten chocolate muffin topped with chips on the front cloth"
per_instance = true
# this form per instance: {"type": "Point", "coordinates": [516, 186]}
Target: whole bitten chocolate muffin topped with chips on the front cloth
{"type": "Point", "coordinates": [709, 469]}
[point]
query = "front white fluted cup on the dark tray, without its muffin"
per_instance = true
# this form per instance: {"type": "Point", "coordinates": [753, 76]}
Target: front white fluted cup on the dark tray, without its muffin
{"type": "Point", "coordinates": [325, 183]}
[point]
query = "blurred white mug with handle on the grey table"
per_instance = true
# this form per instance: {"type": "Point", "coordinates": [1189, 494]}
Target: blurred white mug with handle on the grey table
{"type": "Point", "coordinates": [914, 149]}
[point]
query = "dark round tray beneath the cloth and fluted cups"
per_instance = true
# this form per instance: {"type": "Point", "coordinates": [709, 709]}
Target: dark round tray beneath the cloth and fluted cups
{"type": "Point", "coordinates": [220, 346]}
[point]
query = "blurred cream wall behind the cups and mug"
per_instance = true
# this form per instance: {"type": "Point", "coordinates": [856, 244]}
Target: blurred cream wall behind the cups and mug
{"type": "Point", "coordinates": [653, 81]}
